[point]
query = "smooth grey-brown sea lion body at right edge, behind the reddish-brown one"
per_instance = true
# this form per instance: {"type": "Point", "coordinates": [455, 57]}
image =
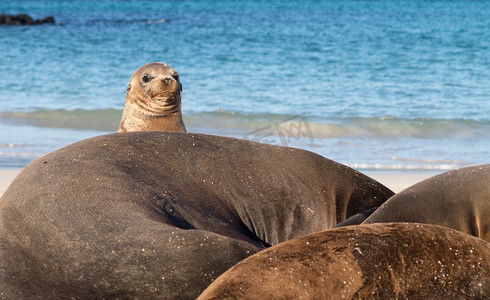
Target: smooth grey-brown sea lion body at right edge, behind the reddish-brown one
{"type": "Point", "coordinates": [459, 199]}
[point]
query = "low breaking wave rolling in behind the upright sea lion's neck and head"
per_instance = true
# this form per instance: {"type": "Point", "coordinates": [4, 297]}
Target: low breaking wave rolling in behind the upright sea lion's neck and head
{"type": "Point", "coordinates": [226, 122]}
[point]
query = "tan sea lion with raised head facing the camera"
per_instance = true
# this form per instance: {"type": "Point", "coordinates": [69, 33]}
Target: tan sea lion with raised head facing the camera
{"type": "Point", "coordinates": [153, 100]}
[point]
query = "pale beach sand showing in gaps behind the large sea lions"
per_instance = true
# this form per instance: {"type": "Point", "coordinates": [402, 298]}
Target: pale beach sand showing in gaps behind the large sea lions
{"type": "Point", "coordinates": [395, 181]}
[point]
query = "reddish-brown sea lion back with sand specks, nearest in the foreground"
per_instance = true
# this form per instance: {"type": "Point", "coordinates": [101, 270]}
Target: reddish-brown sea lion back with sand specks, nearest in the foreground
{"type": "Point", "coordinates": [380, 261]}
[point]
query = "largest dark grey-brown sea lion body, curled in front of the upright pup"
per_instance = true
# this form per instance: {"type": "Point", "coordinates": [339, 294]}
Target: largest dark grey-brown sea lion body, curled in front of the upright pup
{"type": "Point", "coordinates": [159, 215]}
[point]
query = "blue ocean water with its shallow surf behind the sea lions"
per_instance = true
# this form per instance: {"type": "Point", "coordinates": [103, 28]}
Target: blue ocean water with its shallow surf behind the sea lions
{"type": "Point", "coordinates": [377, 85]}
